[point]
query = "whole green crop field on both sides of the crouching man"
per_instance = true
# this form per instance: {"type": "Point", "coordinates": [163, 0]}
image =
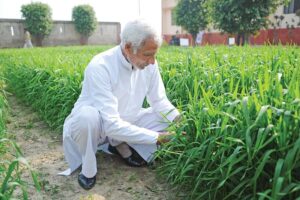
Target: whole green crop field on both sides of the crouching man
{"type": "Point", "coordinates": [241, 108]}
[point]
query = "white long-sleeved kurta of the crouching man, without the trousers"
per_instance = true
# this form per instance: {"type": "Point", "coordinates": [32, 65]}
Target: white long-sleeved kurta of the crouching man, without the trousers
{"type": "Point", "coordinates": [117, 92]}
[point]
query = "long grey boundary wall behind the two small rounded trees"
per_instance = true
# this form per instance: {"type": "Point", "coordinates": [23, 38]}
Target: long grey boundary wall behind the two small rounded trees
{"type": "Point", "coordinates": [63, 33]}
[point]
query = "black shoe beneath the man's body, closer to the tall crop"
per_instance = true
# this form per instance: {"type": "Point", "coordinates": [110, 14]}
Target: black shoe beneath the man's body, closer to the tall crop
{"type": "Point", "coordinates": [135, 160]}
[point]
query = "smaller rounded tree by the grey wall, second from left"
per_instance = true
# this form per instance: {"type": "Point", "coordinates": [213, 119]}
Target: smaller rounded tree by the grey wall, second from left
{"type": "Point", "coordinates": [85, 21]}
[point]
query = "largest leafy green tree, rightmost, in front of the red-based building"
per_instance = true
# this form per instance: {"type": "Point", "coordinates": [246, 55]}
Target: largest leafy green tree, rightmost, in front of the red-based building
{"type": "Point", "coordinates": [242, 17]}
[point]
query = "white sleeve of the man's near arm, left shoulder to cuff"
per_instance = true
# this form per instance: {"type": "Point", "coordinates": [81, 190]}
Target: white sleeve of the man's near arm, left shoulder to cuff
{"type": "Point", "coordinates": [98, 86]}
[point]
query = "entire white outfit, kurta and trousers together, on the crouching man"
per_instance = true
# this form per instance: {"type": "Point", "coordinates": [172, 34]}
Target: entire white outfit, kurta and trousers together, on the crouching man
{"type": "Point", "coordinates": [109, 108]}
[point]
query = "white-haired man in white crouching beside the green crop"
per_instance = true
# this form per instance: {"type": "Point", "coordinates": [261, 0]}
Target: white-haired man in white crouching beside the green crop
{"type": "Point", "coordinates": [109, 108]}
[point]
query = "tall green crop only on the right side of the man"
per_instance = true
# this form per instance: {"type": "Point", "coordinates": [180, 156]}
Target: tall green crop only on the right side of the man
{"type": "Point", "coordinates": [242, 117]}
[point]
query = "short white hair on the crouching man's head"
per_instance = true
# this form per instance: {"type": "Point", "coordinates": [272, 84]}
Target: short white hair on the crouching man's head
{"type": "Point", "coordinates": [136, 32]}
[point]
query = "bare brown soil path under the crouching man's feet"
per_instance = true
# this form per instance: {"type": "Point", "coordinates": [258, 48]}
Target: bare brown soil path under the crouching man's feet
{"type": "Point", "coordinates": [42, 147]}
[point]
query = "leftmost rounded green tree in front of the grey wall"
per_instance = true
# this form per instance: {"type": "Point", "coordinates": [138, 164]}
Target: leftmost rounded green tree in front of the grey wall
{"type": "Point", "coordinates": [37, 20]}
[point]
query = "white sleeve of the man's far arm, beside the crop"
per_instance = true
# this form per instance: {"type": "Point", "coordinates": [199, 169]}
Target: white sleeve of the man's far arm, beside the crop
{"type": "Point", "coordinates": [157, 98]}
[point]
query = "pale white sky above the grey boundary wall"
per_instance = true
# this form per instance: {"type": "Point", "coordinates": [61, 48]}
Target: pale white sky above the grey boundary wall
{"type": "Point", "coordinates": [106, 10]}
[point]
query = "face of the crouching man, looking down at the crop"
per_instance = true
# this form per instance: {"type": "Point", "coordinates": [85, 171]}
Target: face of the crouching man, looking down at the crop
{"type": "Point", "coordinates": [144, 55]}
